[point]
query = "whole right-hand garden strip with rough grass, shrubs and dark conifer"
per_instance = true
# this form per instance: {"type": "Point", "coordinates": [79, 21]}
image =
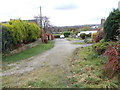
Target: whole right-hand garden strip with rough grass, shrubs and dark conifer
{"type": "Point", "coordinates": [98, 66]}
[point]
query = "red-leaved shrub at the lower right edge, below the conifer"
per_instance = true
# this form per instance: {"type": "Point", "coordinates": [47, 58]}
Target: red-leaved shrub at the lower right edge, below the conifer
{"type": "Point", "coordinates": [112, 64]}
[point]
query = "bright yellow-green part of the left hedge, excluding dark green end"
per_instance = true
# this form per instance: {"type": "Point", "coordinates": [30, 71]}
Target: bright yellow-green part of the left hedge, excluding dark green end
{"type": "Point", "coordinates": [23, 32]}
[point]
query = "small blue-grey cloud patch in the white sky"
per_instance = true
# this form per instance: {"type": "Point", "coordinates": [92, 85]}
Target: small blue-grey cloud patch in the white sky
{"type": "Point", "coordinates": [66, 7]}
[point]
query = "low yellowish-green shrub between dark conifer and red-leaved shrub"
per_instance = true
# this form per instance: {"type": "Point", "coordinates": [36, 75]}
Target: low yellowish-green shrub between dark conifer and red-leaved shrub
{"type": "Point", "coordinates": [100, 47]}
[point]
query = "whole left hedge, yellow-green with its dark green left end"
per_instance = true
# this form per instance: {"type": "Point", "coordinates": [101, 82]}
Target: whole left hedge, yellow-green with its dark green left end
{"type": "Point", "coordinates": [16, 32]}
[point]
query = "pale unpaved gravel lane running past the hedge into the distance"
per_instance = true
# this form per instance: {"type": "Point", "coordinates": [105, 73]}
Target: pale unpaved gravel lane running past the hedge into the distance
{"type": "Point", "coordinates": [56, 56]}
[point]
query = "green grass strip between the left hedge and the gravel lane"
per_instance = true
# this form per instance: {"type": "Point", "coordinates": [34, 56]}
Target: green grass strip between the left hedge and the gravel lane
{"type": "Point", "coordinates": [29, 52]}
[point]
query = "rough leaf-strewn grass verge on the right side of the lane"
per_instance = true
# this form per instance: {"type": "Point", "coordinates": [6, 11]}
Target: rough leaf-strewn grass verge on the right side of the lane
{"type": "Point", "coordinates": [87, 71]}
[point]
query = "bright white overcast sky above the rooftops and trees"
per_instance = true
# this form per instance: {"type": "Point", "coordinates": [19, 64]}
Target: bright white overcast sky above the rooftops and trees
{"type": "Point", "coordinates": [61, 12]}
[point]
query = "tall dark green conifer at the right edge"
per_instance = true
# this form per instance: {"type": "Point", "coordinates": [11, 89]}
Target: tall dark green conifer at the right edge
{"type": "Point", "coordinates": [111, 25]}
